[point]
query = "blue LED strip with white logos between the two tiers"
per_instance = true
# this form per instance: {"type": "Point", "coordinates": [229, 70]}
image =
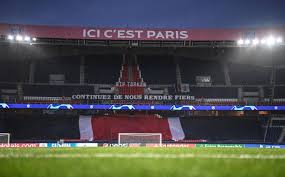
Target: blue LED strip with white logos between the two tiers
{"type": "Point", "coordinates": [140, 107]}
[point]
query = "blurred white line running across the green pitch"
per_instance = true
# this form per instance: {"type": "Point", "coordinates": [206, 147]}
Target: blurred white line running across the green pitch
{"type": "Point", "coordinates": [142, 155]}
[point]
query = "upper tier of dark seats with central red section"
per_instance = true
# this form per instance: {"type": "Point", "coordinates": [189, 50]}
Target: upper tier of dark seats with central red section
{"type": "Point", "coordinates": [206, 81]}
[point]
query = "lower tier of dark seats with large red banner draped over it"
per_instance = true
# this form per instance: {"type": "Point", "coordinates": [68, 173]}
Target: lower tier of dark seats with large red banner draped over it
{"type": "Point", "coordinates": [106, 128]}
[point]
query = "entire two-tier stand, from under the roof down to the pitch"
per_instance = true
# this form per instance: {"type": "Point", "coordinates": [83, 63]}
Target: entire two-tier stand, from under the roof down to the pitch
{"type": "Point", "coordinates": [131, 69]}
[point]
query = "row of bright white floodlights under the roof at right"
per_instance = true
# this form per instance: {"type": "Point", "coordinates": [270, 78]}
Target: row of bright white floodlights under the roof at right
{"type": "Point", "coordinates": [267, 41]}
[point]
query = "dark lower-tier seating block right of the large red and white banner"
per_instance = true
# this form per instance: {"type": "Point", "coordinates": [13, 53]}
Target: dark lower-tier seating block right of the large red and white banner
{"type": "Point", "coordinates": [247, 129]}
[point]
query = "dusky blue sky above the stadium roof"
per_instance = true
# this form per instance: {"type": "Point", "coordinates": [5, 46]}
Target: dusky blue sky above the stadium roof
{"type": "Point", "coordinates": [146, 13]}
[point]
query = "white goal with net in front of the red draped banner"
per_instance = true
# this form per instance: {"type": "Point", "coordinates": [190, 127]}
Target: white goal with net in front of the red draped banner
{"type": "Point", "coordinates": [142, 138]}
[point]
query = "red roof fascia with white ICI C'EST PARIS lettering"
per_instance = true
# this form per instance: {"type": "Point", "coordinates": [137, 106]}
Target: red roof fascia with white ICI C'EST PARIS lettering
{"type": "Point", "coordinates": [136, 34]}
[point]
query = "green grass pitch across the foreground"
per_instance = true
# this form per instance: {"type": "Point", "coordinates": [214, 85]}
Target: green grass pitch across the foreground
{"type": "Point", "coordinates": [142, 162]}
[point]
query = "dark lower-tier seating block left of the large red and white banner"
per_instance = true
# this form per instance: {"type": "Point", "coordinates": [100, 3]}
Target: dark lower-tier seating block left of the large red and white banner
{"type": "Point", "coordinates": [40, 127]}
